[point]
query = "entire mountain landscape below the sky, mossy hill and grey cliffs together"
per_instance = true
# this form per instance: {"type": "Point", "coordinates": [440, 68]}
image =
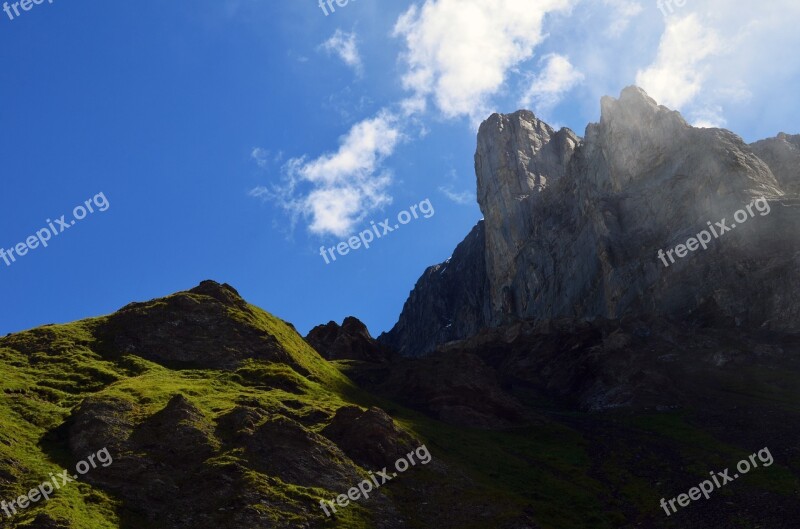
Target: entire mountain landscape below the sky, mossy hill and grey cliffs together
{"type": "Point", "coordinates": [553, 373]}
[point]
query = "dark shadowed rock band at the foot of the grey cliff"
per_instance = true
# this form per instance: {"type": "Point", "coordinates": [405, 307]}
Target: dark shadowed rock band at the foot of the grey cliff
{"type": "Point", "coordinates": [632, 363]}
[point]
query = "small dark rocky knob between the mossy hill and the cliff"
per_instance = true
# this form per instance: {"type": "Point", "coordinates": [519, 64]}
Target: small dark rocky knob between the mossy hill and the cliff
{"type": "Point", "coordinates": [350, 341]}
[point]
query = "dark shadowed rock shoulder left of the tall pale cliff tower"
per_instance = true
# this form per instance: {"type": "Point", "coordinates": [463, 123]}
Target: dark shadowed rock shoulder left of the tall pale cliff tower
{"type": "Point", "coordinates": [449, 302]}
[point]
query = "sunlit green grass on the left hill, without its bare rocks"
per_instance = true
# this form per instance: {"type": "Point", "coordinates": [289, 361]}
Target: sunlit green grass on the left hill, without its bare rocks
{"type": "Point", "coordinates": [50, 370]}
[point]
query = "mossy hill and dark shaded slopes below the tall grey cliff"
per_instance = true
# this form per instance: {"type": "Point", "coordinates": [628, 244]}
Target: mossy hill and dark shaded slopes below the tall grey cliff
{"type": "Point", "coordinates": [212, 413]}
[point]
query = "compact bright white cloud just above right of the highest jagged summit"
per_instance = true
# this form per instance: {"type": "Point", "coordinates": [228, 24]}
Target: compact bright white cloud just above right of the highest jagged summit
{"type": "Point", "coordinates": [680, 69]}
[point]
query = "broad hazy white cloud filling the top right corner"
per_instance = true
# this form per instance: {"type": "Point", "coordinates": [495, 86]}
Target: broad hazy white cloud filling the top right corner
{"type": "Point", "coordinates": [715, 60]}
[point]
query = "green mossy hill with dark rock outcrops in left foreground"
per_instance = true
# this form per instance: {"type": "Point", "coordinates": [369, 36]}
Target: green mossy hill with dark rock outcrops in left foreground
{"type": "Point", "coordinates": [215, 413]}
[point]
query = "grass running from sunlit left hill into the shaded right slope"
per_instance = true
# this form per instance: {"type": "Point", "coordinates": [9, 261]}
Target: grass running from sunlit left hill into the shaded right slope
{"type": "Point", "coordinates": [550, 467]}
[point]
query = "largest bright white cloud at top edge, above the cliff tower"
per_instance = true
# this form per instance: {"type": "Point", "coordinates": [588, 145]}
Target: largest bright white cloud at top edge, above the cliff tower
{"type": "Point", "coordinates": [459, 51]}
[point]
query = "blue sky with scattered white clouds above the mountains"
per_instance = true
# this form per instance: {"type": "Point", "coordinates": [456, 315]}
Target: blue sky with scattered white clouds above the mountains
{"type": "Point", "coordinates": [234, 139]}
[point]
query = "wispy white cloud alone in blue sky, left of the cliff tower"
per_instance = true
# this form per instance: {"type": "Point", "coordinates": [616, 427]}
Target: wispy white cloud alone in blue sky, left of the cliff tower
{"type": "Point", "coordinates": [337, 190]}
